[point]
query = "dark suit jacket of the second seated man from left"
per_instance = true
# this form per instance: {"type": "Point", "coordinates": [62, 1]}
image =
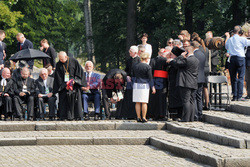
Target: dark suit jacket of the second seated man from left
{"type": "Point", "coordinates": [18, 86]}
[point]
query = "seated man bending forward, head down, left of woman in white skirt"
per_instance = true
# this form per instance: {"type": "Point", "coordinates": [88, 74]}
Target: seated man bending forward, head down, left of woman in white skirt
{"type": "Point", "coordinates": [113, 86]}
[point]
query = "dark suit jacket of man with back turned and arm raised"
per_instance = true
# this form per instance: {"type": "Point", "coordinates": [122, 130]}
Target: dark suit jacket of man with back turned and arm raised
{"type": "Point", "coordinates": [187, 71]}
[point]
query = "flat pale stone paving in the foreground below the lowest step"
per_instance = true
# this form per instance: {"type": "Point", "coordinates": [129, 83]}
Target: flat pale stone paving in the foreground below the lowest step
{"type": "Point", "coordinates": [102, 155]}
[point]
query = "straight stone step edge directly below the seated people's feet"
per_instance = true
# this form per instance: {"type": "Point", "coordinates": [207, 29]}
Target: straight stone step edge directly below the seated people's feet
{"type": "Point", "coordinates": [80, 125]}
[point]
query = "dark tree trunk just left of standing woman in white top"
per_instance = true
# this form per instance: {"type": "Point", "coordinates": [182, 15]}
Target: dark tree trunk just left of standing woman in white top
{"type": "Point", "coordinates": [131, 25]}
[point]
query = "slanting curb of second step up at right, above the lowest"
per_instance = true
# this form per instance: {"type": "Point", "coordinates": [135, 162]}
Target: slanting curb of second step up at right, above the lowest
{"type": "Point", "coordinates": [207, 135]}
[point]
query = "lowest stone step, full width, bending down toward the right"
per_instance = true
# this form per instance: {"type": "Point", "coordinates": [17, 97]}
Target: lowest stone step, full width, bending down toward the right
{"type": "Point", "coordinates": [189, 147]}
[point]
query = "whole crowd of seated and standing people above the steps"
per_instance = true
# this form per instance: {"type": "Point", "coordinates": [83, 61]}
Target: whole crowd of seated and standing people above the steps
{"type": "Point", "coordinates": [175, 81]}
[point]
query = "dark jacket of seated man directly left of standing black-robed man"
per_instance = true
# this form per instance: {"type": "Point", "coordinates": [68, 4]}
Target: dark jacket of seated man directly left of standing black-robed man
{"type": "Point", "coordinates": [40, 87]}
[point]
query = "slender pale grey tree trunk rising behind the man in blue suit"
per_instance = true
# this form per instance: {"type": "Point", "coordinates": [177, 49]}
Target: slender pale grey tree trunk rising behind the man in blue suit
{"type": "Point", "coordinates": [89, 33]}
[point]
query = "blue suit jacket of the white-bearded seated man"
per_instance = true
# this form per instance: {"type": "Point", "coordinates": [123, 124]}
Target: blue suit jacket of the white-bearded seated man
{"type": "Point", "coordinates": [95, 81]}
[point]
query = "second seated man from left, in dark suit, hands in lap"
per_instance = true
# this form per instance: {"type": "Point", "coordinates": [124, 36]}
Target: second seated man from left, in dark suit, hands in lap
{"type": "Point", "coordinates": [24, 89]}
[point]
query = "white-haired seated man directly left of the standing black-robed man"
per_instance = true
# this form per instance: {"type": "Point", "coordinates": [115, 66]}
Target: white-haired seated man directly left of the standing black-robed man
{"type": "Point", "coordinates": [44, 87]}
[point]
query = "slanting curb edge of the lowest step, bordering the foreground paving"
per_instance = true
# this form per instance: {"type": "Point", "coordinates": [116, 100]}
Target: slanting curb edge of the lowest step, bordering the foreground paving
{"type": "Point", "coordinates": [186, 152]}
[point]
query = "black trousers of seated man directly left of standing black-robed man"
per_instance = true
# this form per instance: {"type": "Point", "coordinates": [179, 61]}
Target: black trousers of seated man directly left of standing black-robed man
{"type": "Point", "coordinates": [51, 102]}
